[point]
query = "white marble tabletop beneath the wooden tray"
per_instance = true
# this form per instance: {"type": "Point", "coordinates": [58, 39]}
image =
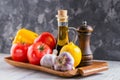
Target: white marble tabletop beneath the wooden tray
{"type": "Point", "coordinates": [9, 72]}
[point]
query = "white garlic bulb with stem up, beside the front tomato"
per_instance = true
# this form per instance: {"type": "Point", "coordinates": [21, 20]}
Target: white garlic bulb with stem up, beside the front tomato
{"type": "Point", "coordinates": [48, 60]}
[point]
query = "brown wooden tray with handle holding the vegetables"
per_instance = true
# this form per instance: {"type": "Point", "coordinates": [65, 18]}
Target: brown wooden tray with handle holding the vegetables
{"type": "Point", "coordinates": [96, 67]}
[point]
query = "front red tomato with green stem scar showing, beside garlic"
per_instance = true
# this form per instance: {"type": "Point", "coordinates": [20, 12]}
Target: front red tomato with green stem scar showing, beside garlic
{"type": "Point", "coordinates": [37, 51]}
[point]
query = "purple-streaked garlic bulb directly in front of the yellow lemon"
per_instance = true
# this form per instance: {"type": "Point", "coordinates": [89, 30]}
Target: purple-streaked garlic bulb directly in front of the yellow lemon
{"type": "Point", "coordinates": [64, 62]}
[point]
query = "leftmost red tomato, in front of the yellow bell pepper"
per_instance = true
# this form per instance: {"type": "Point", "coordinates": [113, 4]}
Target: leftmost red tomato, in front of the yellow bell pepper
{"type": "Point", "coordinates": [19, 52]}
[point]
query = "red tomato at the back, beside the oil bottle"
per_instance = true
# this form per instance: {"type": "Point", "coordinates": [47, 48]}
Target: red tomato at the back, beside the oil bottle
{"type": "Point", "coordinates": [46, 38]}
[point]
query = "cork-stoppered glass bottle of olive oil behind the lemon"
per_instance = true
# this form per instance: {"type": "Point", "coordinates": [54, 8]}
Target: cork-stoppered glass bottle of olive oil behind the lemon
{"type": "Point", "coordinates": [62, 38]}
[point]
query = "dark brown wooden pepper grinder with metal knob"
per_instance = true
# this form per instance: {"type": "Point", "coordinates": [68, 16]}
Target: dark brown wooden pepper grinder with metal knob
{"type": "Point", "coordinates": [84, 34]}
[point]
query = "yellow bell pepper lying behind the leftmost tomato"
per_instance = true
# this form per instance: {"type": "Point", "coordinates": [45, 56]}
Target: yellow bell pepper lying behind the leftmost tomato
{"type": "Point", "coordinates": [25, 36]}
